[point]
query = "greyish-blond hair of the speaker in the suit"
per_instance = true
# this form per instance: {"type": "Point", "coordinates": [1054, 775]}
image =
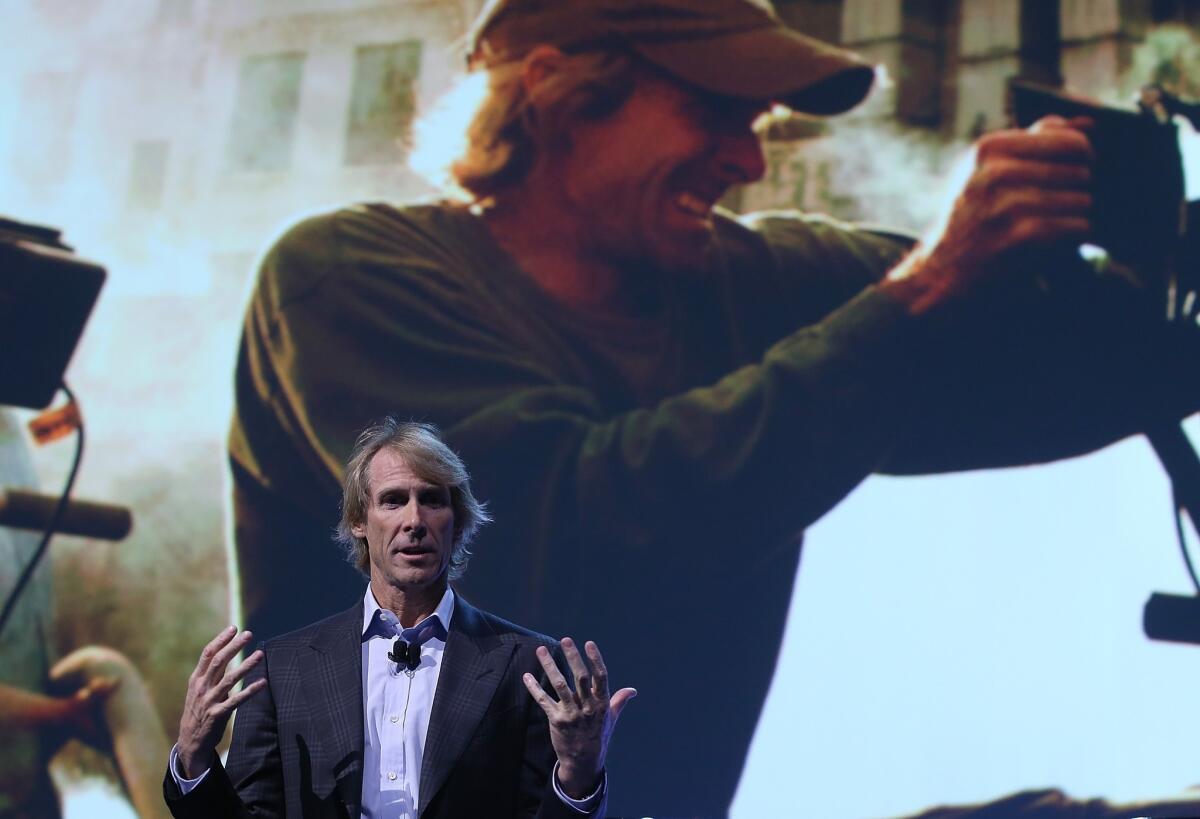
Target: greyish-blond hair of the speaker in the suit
{"type": "Point", "coordinates": [431, 461]}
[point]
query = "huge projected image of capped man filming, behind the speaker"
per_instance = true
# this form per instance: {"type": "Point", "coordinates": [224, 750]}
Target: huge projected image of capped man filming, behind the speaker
{"type": "Point", "coordinates": [685, 301]}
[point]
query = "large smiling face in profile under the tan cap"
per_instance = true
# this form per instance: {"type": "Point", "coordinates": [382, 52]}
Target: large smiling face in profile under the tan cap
{"type": "Point", "coordinates": [641, 183]}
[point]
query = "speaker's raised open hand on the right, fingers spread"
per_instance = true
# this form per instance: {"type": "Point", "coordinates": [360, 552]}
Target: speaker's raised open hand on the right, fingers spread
{"type": "Point", "coordinates": [581, 721]}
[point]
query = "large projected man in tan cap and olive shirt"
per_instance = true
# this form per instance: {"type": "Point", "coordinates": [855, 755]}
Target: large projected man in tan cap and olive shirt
{"type": "Point", "coordinates": [659, 396]}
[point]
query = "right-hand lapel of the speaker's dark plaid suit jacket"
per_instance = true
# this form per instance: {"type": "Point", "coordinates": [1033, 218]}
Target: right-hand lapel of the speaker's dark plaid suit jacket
{"type": "Point", "coordinates": [472, 667]}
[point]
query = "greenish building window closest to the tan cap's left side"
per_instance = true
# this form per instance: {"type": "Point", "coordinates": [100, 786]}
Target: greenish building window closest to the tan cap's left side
{"type": "Point", "coordinates": [382, 103]}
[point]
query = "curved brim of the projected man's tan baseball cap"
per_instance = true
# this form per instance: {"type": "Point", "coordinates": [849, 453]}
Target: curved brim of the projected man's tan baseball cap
{"type": "Point", "coordinates": [772, 63]}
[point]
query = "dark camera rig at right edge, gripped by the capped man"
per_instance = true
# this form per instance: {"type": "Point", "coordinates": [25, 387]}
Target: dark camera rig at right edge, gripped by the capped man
{"type": "Point", "coordinates": [1141, 218]}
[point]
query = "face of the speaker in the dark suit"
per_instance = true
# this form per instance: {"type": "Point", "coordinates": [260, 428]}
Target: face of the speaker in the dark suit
{"type": "Point", "coordinates": [410, 527]}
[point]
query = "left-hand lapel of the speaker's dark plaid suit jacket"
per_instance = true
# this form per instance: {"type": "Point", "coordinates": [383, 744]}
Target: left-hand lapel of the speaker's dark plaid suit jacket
{"type": "Point", "coordinates": [332, 680]}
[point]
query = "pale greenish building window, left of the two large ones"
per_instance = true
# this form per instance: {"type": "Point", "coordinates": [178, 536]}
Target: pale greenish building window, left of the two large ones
{"type": "Point", "coordinates": [265, 117]}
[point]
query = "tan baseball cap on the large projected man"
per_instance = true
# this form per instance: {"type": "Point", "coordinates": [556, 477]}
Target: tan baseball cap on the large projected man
{"type": "Point", "coordinates": [730, 47]}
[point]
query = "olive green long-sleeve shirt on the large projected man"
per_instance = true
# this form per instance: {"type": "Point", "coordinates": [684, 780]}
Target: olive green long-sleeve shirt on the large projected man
{"type": "Point", "coordinates": [651, 476]}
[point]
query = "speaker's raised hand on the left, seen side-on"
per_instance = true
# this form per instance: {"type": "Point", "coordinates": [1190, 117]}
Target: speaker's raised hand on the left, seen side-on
{"type": "Point", "coordinates": [212, 700]}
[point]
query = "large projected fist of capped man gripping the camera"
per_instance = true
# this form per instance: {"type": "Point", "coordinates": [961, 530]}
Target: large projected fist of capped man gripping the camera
{"type": "Point", "coordinates": [1029, 189]}
